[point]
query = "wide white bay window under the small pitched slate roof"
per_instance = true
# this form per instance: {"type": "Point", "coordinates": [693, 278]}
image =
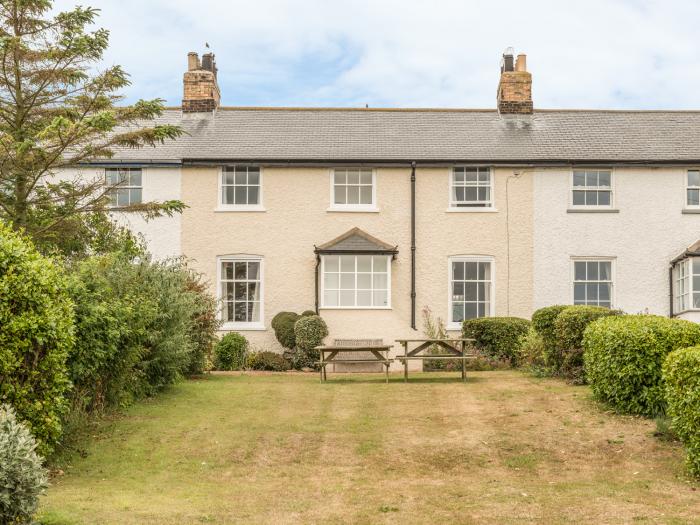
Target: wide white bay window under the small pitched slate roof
{"type": "Point", "coordinates": [356, 281]}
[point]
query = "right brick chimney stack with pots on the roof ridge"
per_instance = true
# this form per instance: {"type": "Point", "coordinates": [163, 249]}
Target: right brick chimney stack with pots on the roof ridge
{"type": "Point", "coordinates": [515, 87]}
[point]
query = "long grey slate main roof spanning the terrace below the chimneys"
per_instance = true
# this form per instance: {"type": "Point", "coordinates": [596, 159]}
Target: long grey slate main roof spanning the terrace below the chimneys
{"type": "Point", "coordinates": [404, 135]}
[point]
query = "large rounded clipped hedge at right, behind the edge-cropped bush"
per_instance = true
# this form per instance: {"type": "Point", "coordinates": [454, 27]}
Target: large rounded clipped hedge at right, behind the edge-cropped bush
{"type": "Point", "coordinates": [624, 355]}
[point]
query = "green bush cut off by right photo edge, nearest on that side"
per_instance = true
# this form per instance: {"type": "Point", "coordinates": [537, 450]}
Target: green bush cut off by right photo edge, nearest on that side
{"type": "Point", "coordinates": [681, 373]}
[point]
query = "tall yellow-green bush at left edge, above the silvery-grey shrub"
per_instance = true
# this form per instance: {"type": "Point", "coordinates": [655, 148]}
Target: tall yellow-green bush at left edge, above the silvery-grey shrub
{"type": "Point", "coordinates": [36, 334]}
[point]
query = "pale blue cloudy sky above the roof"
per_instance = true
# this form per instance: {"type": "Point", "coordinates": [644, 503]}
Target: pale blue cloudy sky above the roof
{"type": "Point", "coordinates": [593, 54]}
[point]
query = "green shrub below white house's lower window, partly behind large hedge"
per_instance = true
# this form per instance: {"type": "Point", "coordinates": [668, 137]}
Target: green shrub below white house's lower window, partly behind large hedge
{"type": "Point", "coordinates": [569, 327]}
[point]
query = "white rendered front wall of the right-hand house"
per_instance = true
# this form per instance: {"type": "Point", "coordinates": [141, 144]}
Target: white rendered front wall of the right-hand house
{"type": "Point", "coordinates": [647, 233]}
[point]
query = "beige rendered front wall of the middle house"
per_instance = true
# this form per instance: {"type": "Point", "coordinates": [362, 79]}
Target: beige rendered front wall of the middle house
{"type": "Point", "coordinates": [296, 201]}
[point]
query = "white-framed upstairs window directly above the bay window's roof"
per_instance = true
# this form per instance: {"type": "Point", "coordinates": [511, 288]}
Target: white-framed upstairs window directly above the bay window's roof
{"type": "Point", "coordinates": [353, 189]}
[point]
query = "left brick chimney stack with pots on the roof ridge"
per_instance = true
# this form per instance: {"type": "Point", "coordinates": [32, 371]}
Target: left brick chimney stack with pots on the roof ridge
{"type": "Point", "coordinates": [201, 90]}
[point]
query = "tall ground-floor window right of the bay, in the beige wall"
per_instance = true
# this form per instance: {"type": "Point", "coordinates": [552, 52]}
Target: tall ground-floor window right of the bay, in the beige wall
{"type": "Point", "coordinates": [471, 288]}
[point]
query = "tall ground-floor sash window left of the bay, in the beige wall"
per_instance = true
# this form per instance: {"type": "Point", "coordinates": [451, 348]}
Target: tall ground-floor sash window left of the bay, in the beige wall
{"type": "Point", "coordinates": [241, 289]}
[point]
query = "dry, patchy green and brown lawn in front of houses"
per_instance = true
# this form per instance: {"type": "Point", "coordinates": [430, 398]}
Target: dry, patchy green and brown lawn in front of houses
{"type": "Point", "coordinates": [282, 448]}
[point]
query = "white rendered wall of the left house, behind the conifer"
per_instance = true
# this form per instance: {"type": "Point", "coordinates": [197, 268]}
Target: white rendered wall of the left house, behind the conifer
{"type": "Point", "coordinates": [162, 235]}
